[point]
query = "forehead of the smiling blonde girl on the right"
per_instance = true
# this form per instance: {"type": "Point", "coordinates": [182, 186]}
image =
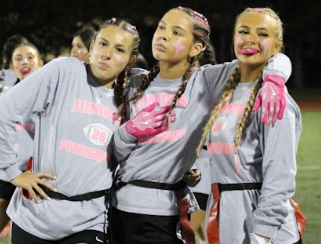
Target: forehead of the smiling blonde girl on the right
{"type": "Point", "coordinates": [256, 20]}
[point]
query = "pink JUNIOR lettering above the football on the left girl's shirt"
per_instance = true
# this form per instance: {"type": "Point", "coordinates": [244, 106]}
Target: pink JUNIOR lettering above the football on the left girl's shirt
{"type": "Point", "coordinates": [92, 108]}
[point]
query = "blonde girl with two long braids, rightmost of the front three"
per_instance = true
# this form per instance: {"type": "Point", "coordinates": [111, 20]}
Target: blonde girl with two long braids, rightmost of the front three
{"type": "Point", "coordinates": [253, 164]}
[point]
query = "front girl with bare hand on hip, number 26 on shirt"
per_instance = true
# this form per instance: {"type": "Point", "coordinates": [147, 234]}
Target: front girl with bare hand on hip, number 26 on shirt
{"type": "Point", "coordinates": [65, 193]}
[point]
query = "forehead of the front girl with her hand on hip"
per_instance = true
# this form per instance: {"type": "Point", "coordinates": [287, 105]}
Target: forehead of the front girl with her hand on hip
{"type": "Point", "coordinates": [116, 35]}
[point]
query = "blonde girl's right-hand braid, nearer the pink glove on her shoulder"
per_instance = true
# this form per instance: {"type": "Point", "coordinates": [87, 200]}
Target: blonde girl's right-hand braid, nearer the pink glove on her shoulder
{"type": "Point", "coordinates": [247, 111]}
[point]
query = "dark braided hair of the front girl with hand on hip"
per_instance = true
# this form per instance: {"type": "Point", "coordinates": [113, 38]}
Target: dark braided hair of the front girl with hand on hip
{"type": "Point", "coordinates": [121, 78]}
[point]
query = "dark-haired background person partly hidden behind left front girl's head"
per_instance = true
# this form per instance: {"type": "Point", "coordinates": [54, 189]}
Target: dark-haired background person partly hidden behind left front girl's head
{"type": "Point", "coordinates": [80, 44]}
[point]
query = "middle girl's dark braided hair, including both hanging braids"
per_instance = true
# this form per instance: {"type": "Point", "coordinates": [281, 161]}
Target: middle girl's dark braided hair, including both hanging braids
{"type": "Point", "coordinates": [201, 32]}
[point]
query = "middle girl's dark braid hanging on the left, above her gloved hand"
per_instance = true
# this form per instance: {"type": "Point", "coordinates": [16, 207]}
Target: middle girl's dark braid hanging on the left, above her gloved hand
{"type": "Point", "coordinates": [139, 92]}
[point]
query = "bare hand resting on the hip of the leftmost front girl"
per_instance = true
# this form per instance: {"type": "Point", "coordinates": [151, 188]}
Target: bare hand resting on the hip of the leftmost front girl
{"type": "Point", "coordinates": [31, 182]}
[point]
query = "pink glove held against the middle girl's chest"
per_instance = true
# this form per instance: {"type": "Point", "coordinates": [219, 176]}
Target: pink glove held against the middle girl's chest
{"type": "Point", "coordinates": [149, 122]}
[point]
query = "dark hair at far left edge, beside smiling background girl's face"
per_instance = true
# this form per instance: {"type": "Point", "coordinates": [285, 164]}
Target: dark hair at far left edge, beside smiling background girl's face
{"type": "Point", "coordinates": [8, 48]}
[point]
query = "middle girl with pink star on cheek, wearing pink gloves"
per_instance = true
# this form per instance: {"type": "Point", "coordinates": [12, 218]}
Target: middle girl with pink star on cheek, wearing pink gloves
{"type": "Point", "coordinates": [150, 197]}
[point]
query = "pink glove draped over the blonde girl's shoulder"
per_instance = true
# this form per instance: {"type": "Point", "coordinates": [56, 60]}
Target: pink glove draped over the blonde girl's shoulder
{"type": "Point", "coordinates": [272, 98]}
